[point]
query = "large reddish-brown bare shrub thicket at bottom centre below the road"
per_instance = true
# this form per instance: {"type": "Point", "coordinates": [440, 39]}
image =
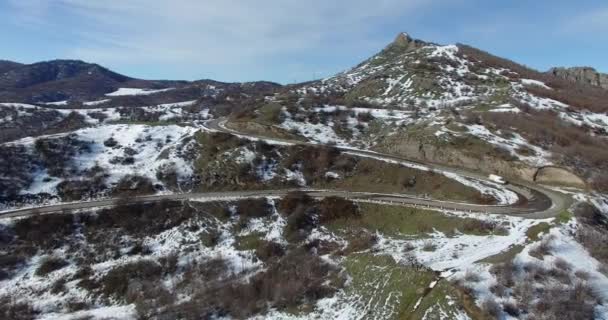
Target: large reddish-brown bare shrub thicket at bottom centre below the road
{"type": "Point", "coordinates": [298, 277]}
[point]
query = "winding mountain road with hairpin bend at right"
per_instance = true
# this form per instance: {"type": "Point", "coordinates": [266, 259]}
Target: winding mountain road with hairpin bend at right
{"type": "Point", "coordinates": [536, 202]}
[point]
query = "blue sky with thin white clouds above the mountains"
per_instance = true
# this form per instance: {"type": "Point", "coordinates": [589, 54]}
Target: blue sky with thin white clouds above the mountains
{"type": "Point", "coordinates": [291, 41]}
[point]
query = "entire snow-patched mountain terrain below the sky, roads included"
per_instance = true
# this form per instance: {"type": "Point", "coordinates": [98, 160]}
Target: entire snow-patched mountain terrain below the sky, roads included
{"type": "Point", "coordinates": [365, 194]}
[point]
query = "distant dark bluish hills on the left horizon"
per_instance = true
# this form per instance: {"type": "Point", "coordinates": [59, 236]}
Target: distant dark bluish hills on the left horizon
{"type": "Point", "coordinates": [63, 82]}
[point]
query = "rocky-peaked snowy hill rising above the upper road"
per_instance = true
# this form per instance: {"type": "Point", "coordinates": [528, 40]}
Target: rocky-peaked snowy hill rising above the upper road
{"type": "Point", "coordinates": [454, 104]}
